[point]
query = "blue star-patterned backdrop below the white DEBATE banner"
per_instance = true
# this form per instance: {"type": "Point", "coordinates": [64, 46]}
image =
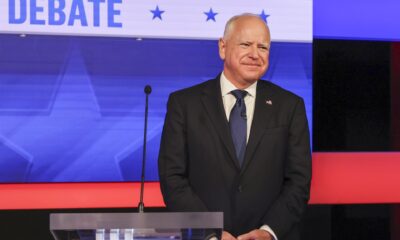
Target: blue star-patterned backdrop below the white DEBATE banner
{"type": "Point", "coordinates": [71, 108]}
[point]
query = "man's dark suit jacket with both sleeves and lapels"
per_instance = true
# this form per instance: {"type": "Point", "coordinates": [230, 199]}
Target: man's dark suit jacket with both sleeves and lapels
{"type": "Point", "coordinates": [199, 170]}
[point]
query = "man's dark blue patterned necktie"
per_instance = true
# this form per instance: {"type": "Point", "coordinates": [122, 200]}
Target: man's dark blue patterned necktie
{"type": "Point", "coordinates": [238, 124]}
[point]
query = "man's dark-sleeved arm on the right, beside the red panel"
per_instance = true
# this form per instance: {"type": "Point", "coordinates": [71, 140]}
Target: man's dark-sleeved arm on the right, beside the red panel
{"type": "Point", "coordinates": [292, 201]}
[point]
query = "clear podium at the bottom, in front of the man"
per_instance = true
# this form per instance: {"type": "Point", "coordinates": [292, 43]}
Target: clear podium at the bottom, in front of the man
{"type": "Point", "coordinates": [131, 226]}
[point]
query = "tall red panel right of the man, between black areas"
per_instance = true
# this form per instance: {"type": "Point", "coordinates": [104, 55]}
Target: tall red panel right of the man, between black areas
{"type": "Point", "coordinates": [341, 178]}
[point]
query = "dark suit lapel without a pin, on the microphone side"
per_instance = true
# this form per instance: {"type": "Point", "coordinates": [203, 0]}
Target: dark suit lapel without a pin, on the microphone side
{"type": "Point", "coordinates": [212, 102]}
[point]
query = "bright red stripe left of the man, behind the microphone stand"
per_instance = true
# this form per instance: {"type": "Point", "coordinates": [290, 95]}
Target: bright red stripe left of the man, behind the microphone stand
{"type": "Point", "coordinates": [78, 195]}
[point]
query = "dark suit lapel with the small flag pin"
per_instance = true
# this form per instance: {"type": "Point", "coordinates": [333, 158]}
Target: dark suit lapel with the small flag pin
{"type": "Point", "coordinates": [263, 110]}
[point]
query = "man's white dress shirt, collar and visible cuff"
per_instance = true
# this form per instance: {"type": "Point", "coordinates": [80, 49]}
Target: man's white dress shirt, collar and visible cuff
{"type": "Point", "coordinates": [229, 101]}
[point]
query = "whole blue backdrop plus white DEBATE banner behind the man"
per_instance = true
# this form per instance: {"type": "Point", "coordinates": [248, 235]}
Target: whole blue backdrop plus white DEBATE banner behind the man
{"type": "Point", "coordinates": [72, 75]}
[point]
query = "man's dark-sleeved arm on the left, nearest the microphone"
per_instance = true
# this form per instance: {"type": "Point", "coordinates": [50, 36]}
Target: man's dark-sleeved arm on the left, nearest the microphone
{"type": "Point", "coordinates": [172, 162]}
